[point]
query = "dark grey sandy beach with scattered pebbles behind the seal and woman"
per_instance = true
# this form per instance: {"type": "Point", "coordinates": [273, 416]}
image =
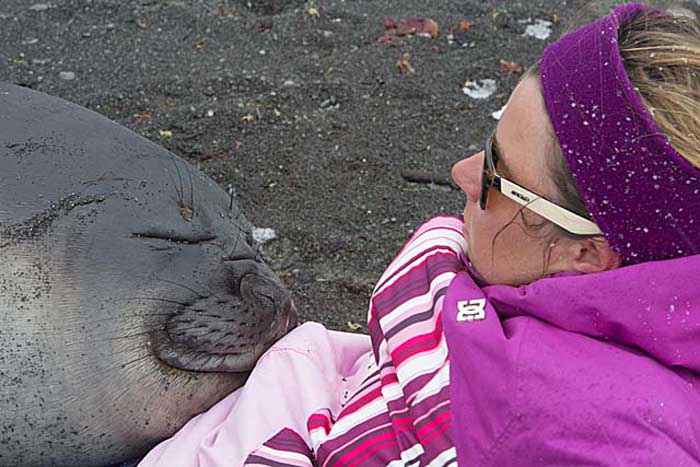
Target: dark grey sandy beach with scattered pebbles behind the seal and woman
{"type": "Point", "coordinates": [334, 129]}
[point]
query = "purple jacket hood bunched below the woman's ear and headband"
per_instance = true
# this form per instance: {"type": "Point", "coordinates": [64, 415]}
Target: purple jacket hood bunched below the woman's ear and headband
{"type": "Point", "coordinates": [652, 306]}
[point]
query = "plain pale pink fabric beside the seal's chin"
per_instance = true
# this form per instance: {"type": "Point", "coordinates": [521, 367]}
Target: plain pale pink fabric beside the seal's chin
{"type": "Point", "coordinates": [324, 363]}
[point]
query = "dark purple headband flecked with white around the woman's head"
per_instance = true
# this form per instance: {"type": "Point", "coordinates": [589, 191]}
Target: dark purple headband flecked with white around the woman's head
{"type": "Point", "coordinates": [643, 195]}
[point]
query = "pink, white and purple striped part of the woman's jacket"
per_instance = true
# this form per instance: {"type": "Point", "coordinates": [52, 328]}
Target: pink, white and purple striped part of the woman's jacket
{"type": "Point", "coordinates": [398, 413]}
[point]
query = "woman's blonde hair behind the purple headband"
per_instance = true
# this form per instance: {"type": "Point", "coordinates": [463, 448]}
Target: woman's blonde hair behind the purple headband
{"type": "Point", "coordinates": [662, 58]}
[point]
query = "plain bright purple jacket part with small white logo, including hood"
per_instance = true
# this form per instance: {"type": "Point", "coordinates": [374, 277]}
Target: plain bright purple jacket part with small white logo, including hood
{"type": "Point", "coordinates": [596, 369]}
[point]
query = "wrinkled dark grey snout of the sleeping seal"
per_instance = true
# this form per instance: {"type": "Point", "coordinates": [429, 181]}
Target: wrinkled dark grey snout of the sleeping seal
{"type": "Point", "coordinates": [229, 330]}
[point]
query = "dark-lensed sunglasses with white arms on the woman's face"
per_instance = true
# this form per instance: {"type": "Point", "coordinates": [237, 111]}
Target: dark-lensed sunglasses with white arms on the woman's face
{"type": "Point", "coordinates": [567, 220]}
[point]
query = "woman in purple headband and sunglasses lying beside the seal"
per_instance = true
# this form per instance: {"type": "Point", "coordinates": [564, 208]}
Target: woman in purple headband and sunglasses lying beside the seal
{"type": "Point", "coordinates": [569, 335]}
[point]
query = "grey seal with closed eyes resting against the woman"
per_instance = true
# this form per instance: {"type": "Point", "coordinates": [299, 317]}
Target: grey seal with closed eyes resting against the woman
{"type": "Point", "coordinates": [131, 291]}
